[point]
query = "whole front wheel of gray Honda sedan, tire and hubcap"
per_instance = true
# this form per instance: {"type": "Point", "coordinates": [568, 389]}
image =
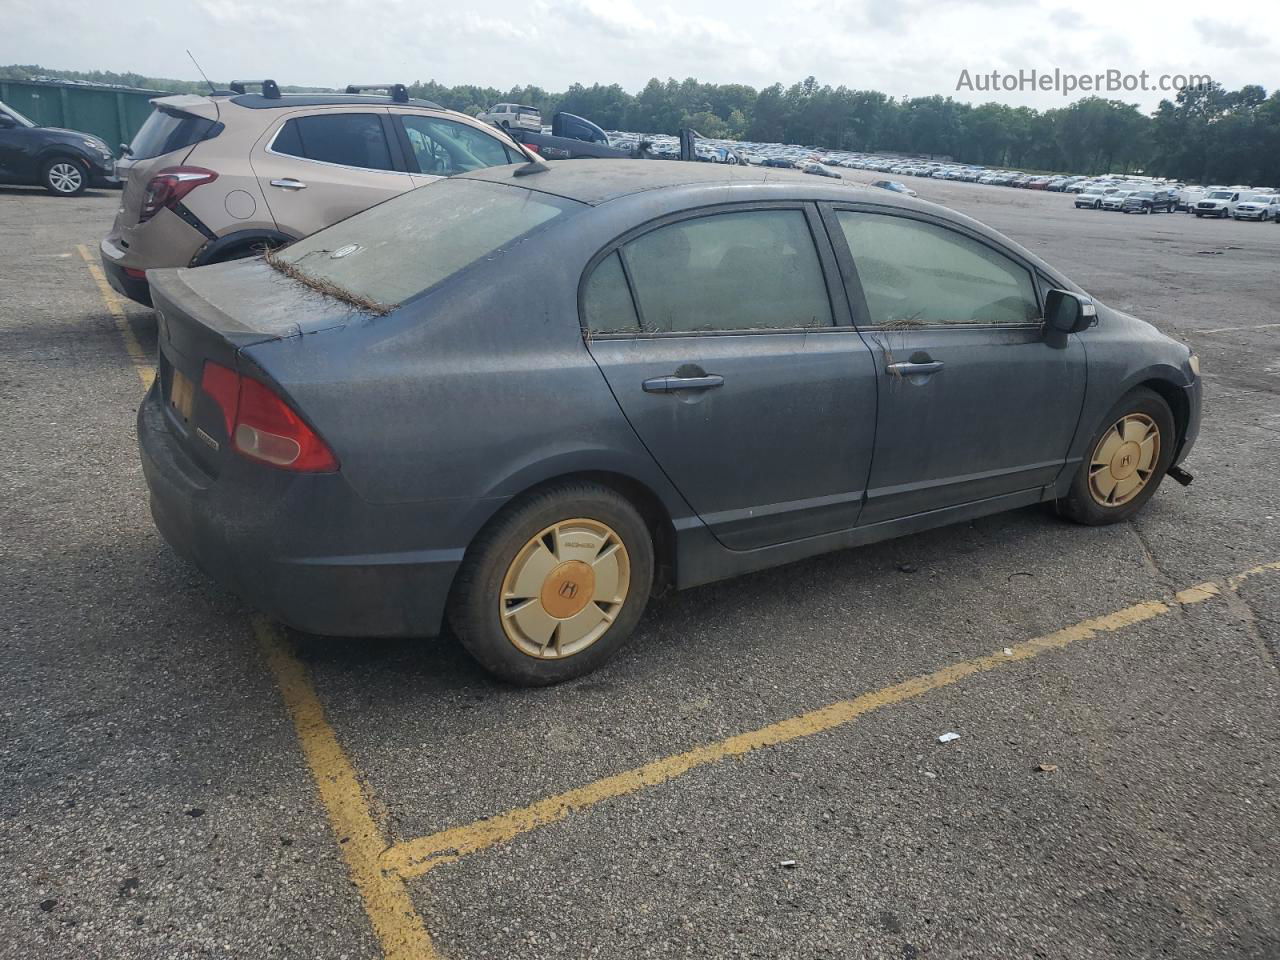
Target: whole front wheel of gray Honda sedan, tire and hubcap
{"type": "Point", "coordinates": [1128, 459]}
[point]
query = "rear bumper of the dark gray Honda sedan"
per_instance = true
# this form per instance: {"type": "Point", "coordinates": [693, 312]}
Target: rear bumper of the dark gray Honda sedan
{"type": "Point", "coordinates": [298, 547]}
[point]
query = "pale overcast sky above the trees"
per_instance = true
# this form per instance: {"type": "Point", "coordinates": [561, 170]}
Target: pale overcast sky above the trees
{"type": "Point", "coordinates": [899, 47]}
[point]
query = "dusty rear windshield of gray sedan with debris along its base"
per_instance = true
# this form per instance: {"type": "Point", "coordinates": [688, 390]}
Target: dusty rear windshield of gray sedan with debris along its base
{"type": "Point", "coordinates": [399, 249]}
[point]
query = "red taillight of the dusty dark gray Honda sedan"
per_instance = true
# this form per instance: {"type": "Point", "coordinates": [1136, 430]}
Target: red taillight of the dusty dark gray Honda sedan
{"type": "Point", "coordinates": [263, 427]}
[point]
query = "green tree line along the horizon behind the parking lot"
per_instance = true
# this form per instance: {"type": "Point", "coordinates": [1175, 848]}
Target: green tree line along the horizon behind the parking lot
{"type": "Point", "coordinates": [1208, 135]}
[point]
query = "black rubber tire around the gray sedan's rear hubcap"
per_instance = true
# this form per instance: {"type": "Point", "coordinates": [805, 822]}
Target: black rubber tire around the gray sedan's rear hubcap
{"type": "Point", "coordinates": [476, 600]}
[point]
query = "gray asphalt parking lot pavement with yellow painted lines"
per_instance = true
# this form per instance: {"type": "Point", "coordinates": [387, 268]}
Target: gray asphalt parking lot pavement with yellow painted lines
{"type": "Point", "coordinates": [758, 776]}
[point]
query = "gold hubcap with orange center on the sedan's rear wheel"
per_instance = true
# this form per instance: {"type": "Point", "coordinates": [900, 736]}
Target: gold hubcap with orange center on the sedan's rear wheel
{"type": "Point", "coordinates": [565, 588]}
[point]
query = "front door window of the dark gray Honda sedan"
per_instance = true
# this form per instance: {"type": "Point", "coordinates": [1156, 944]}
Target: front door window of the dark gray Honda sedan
{"type": "Point", "coordinates": [920, 275]}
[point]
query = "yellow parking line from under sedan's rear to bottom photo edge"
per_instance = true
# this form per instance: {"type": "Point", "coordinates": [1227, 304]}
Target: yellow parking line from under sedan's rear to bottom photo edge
{"type": "Point", "coordinates": [400, 930]}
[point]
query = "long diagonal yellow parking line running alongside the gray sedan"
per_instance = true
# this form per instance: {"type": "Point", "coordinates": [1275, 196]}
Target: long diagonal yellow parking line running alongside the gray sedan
{"type": "Point", "coordinates": [414, 858]}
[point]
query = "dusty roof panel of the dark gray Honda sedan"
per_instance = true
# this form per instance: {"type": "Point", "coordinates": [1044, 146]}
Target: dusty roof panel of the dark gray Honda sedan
{"type": "Point", "coordinates": [597, 182]}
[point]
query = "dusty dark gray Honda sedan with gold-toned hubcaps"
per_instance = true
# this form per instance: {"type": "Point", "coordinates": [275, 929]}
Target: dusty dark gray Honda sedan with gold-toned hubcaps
{"type": "Point", "coordinates": [523, 399]}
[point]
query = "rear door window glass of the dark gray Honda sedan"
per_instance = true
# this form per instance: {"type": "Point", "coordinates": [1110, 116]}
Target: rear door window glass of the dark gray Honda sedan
{"type": "Point", "coordinates": [748, 271]}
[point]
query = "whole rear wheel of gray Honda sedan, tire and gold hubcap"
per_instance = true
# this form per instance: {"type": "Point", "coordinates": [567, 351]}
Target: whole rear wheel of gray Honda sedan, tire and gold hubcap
{"type": "Point", "coordinates": [555, 586]}
